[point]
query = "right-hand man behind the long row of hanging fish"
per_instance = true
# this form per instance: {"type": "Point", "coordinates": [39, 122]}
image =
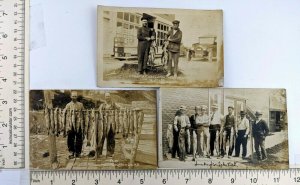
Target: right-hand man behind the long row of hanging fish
{"type": "Point", "coordinates": [109, 133]}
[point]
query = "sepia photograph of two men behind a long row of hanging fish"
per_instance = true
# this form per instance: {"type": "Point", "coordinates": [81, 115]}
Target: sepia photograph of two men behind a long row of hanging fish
{"type": "Point", "coordinates": [93, 129]}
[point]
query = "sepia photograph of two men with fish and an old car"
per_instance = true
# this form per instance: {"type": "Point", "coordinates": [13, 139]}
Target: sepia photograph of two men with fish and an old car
{"type": "Point", "coordinates": [147, 47]}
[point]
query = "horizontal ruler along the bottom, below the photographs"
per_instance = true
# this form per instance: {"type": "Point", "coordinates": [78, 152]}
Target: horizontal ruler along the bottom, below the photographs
{"type": "Point", "coordinates": [171, 177]}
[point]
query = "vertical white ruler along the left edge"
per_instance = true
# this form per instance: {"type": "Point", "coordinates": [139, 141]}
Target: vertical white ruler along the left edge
{"type": "Point", "coordinates": [12, 87]}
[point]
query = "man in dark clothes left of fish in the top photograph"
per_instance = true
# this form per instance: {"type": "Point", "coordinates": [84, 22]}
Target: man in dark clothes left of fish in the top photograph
{"type": "Point", "coordinates": [144, 40]}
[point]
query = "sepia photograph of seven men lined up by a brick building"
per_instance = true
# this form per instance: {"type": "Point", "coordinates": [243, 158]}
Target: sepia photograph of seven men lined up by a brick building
{"type": "Point", "coordinates": [211, 128]}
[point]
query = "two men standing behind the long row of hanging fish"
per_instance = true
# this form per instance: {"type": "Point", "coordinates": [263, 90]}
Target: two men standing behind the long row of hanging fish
{"type": "Point", "coordinates": [76, 135]}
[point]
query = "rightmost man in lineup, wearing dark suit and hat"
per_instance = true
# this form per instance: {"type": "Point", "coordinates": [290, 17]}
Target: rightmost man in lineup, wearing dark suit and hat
{"type": "Point", "coordinates": [260, 130]}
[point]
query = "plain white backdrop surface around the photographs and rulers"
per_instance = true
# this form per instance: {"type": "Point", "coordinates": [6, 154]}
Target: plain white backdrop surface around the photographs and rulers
{"type": "Point", "coordinates": [261, 43]}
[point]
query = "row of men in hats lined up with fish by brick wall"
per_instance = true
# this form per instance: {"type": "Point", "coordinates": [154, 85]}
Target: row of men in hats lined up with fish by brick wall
{"type": "Point", "coordinates": [207, 135]}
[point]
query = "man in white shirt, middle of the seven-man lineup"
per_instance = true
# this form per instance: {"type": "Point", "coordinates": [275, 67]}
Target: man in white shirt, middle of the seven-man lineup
{"type": "Point", "coordinates": [216, 119]}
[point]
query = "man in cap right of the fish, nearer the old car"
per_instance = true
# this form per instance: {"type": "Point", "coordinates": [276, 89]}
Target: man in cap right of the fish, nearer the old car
{"type": "Point", "coordinates": [174, 38]}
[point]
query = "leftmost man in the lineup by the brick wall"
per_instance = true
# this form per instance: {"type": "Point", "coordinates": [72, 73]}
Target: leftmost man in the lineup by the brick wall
{"type": "Point", "coordinates": [181, 125]}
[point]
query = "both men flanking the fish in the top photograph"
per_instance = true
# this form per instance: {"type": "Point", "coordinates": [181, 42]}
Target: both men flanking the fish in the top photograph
{"type": "Point", "coordinates": [146, 36]}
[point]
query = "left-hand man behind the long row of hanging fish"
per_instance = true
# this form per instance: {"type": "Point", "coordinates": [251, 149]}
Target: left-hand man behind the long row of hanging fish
{"type": "Point", "coordinates": [75, 130]}
